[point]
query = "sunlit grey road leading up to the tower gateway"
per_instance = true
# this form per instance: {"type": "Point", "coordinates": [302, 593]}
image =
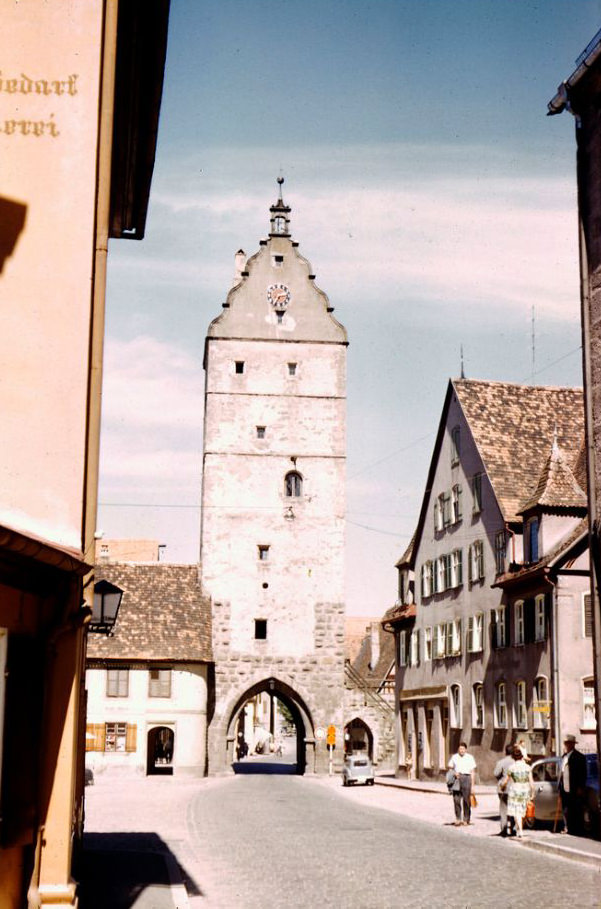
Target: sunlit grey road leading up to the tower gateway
{"type": "Point", "coordinates": [286, 842]}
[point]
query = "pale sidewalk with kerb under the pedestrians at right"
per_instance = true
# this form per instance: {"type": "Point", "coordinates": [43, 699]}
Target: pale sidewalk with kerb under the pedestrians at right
{"type": "Point", "coordinates": [486, 819]}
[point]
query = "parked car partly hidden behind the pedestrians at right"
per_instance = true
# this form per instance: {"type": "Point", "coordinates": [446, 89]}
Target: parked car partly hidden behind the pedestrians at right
{"type": "Point", "coordinates": [547, 808]}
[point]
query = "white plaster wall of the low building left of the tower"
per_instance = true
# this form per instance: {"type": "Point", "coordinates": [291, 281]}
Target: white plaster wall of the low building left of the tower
{"type": "Point", "coordinates": [185, 712]}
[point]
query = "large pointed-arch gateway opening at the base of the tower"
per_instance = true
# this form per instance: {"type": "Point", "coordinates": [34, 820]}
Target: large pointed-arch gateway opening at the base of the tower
{"type": "Point", "coordinates": [269, 730]}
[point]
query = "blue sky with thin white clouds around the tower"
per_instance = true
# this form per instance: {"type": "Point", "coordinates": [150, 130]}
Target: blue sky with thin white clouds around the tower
{"type": "Point", "coordinates": [432, 195]}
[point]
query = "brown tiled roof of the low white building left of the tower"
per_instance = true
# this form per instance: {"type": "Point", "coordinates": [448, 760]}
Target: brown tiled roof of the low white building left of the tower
{"type": "Point", "coordinates": [163, 614]}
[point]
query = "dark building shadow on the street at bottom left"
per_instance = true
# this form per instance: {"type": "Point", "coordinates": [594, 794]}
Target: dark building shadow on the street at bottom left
{"type": "Point", "coordinates": [120, 870]}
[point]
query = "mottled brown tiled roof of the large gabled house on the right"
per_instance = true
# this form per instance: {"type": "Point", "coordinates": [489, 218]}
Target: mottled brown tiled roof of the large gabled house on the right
{"type": "Point", "coordinates": [513, 427]}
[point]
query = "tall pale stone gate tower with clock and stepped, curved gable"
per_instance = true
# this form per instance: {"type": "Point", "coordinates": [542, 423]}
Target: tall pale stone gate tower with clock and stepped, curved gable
{"type": "Point", "coordinates": [273, 499]}
